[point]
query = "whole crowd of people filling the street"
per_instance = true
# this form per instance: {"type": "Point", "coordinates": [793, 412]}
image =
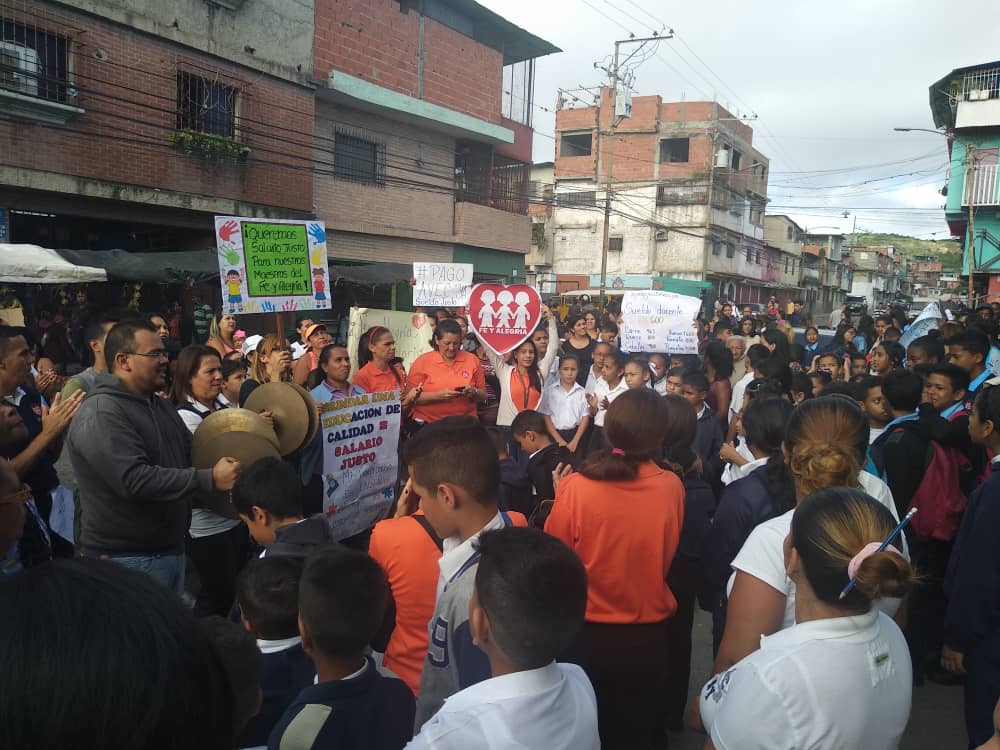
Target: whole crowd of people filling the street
{"type": "Point", "coordinates": [562, 511]}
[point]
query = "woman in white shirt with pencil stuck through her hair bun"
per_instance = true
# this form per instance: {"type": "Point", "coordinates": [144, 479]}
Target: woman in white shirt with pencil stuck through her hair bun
{"type": "Point", "coordinates": [841, 676]}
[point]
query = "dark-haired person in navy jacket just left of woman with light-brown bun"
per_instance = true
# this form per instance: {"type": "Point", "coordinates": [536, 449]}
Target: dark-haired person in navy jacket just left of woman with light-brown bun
{"type": "Point", "coordinates": [765, 490]}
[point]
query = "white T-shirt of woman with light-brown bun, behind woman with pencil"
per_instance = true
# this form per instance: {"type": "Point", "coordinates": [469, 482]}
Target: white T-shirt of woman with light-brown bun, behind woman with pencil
{"type": "Point", "coordinates": [763, 557]}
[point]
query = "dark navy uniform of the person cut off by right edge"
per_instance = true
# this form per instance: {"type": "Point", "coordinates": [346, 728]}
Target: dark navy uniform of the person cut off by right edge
{"type": "Point", "coordinates": [972, 621]}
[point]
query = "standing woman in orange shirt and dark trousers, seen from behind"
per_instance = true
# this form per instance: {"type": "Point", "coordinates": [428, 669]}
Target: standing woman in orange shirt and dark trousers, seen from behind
{"type": "Point", "coordinates": [622, 514]}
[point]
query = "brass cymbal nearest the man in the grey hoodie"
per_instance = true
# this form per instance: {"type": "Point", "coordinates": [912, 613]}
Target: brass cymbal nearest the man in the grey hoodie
{"type": "Point", "coordinates": [236, 433]}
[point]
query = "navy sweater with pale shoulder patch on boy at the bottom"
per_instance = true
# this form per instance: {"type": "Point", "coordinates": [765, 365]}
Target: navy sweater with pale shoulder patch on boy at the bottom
{"type": "Point", "coordinates": [365, 709]}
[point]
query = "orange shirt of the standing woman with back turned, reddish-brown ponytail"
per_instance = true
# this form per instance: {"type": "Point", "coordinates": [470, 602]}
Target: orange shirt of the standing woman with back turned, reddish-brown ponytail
{"type": "Point", "coordinates": [626, 533]}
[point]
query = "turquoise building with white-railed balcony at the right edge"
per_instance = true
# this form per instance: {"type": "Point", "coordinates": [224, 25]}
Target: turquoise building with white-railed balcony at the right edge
{"type": "Point", "coordinates": [966, 105]}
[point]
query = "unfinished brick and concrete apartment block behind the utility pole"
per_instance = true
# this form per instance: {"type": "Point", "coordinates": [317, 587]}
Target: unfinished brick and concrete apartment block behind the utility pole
{"type": "Point", "coordinates": [689, 190]}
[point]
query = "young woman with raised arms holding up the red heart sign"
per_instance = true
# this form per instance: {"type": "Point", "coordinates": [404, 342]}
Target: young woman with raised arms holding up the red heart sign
{"type": "Point", "coordinates": [522, 379]}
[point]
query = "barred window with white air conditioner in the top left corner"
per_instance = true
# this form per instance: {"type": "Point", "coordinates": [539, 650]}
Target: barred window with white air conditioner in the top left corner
{"type": "Point", "coordinates": [33, 62]}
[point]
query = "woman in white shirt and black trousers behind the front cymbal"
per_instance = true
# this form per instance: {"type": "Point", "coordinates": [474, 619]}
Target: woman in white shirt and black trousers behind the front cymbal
{"type": "Point", "coordinates": [219, 544]}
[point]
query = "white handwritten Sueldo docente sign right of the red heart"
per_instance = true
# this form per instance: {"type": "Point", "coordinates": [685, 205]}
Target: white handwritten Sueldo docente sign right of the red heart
{"type": "Point", "coordinates": [659, 322]}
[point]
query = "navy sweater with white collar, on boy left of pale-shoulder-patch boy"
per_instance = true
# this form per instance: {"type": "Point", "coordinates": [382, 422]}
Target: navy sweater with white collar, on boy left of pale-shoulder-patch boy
{"type": "Point", "coordinates": [285, 671]}
